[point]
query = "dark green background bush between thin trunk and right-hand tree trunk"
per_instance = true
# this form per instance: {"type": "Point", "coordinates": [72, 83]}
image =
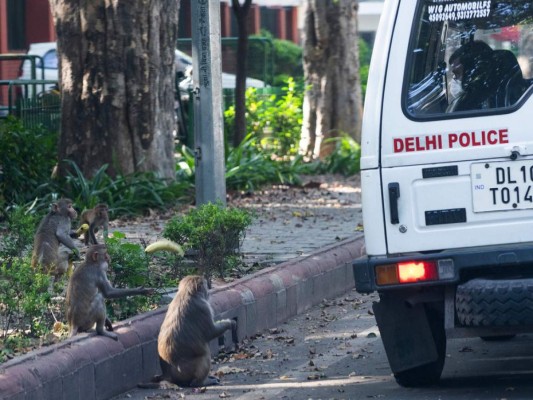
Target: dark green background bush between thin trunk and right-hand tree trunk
{"type": "Point", "coordinates": [286, 57]}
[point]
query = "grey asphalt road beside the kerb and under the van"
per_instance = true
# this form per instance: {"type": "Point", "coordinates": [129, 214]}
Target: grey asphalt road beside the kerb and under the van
{"type": "Point", "coordinates": [334, 352]}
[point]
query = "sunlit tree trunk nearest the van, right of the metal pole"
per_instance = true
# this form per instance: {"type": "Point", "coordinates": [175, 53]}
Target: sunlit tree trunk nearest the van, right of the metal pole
{"type": "Point", "coordinates": [332, 102]}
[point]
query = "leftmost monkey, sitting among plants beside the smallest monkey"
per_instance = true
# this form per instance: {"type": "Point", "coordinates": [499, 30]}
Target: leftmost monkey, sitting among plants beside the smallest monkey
{"type": "Point", "coordinates": [55, 229]}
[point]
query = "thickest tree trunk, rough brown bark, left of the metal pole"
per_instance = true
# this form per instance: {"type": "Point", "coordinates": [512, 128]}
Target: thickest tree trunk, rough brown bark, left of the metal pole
{"type": "Point", "coordinates": [117, 80]}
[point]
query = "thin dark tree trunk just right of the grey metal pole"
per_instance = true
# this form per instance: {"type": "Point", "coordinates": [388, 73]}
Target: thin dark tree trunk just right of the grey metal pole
{"type": "Point", "coordinates": [241, 14]}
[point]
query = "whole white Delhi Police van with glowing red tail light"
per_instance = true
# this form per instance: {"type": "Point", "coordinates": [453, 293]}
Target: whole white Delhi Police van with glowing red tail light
{"type": "Point", "coordinates": [447, 178]}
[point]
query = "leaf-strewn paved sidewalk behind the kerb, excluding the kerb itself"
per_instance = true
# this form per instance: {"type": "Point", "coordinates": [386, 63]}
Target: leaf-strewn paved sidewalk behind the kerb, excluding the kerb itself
{"type": "Point", "coordinates": [291, 222]}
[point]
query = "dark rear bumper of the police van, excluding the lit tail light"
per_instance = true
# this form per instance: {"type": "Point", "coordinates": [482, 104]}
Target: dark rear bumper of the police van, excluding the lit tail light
{"type": "Point", "coordinates": [478, 261]}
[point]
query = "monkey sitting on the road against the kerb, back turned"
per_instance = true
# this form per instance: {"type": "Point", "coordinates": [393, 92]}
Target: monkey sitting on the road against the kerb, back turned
{"type": "Point", "coordinates": [183, 341]}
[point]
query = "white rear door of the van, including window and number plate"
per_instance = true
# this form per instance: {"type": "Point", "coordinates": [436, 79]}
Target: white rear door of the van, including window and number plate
{"type": "Point", "coordinates": [458, 175]}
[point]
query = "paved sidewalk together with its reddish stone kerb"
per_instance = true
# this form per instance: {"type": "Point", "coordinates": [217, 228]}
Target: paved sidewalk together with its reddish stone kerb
{"type": "Point", "coordinates": [305, 238]}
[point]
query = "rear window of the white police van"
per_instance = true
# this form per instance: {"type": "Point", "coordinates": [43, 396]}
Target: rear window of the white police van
{"type": "Point", "coordinates": [469, 56]}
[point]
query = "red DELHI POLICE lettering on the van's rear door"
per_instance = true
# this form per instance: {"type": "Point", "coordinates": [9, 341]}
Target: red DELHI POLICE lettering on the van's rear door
{"type": "Point", "coordinates": [452, 140]}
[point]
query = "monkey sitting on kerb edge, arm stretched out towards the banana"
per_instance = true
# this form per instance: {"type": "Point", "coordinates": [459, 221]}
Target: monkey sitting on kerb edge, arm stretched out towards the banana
{"type": "Point", "coordinates": [87, 290]}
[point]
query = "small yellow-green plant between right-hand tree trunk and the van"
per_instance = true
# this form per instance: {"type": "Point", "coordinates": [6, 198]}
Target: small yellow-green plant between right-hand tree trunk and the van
{"type": "Point", "coordinates": [345, 159]}
